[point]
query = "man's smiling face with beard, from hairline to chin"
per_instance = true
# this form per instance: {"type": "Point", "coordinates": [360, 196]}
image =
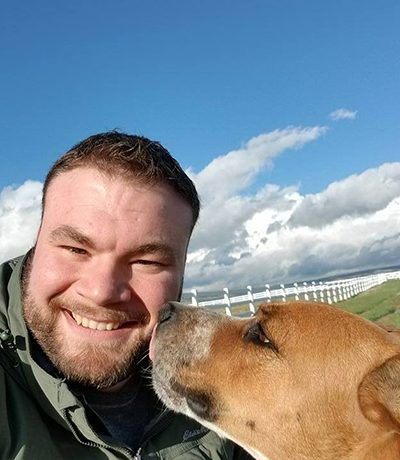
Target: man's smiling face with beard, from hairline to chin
{"type": "Point", "coordinates": [109, 254]}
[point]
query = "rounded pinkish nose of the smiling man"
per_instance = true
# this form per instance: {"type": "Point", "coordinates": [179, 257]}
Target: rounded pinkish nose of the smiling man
{"type": "Point", "coordinates": [104, 284]}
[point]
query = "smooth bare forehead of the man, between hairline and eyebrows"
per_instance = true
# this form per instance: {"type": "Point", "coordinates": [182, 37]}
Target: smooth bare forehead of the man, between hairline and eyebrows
{"type": "Point", "coordinates": [86, 192]}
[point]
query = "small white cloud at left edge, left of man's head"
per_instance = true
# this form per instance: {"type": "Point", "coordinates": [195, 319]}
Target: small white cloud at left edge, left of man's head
{"type": "Point", "coordinates": [19, 218]}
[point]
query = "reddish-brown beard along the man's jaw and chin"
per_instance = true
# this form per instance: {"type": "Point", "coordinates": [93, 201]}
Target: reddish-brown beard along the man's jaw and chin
{"type": "Point", "coordinates": [96, 365]}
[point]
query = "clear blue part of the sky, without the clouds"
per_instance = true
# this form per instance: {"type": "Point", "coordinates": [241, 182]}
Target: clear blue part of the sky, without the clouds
{"type": "Point", "coordinates": [204, 78]}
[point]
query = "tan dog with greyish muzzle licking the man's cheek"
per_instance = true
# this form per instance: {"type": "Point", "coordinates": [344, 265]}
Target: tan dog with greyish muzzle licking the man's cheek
{"type": "Point", "coordinates": [298, 380]}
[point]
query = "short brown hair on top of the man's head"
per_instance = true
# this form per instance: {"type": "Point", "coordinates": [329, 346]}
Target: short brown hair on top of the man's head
{"type": "Point", "coordinates": [116, 153]}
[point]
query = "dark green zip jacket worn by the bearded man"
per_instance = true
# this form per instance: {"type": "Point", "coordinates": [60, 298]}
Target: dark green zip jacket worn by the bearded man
{"type": "Point", "coordinates": [40, 418]}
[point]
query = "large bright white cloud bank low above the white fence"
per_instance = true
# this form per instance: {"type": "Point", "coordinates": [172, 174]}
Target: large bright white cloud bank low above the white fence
{"type": "Point", "coordinates": [271, 251]}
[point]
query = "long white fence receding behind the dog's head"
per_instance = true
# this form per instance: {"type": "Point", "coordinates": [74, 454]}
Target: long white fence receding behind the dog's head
{"type": "Point", "coordinates": [329, 292]}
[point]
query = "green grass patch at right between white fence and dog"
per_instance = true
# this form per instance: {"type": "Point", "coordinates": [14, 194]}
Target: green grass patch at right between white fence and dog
{"type": "Point", "coordinates": [380, 304]}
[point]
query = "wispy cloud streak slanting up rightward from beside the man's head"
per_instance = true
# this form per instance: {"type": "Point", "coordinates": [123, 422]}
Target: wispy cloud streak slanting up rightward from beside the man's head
{"type": "Point", "coordinates": [224, 210]}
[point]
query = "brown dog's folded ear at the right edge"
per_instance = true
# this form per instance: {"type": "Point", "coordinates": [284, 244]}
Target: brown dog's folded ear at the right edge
{"type": "Point", "coordinates": [379, 394]}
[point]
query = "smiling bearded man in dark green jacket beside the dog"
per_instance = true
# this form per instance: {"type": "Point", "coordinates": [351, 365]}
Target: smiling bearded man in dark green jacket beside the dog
{"type": "Point", "coordinates": [77, 311]}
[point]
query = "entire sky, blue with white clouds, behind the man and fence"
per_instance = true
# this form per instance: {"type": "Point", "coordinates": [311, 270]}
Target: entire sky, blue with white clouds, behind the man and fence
{"type": "Point", "coordinates": [286, 114]}
